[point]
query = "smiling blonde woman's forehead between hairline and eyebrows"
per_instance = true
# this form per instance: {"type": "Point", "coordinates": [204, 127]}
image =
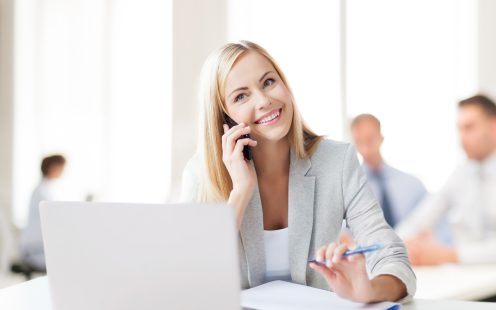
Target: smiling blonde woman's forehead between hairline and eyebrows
{"type": "Point", "coordinates": [248, 67]}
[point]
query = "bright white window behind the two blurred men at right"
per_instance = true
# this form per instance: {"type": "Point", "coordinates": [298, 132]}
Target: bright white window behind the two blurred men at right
{"type": "Point", "coordinates": [408, 63]}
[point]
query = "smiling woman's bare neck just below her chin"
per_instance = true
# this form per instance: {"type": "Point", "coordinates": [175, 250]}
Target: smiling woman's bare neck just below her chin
{"type": "Point", "coordinates": [272, 158]}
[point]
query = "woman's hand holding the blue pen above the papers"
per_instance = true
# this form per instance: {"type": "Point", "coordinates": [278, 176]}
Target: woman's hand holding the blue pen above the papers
{"type": "Point", "coordinates": [346, 276]}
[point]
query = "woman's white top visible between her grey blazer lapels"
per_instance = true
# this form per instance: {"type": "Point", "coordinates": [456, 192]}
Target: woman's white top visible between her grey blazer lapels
{"type": "Point", "coordinates": [276, 255]}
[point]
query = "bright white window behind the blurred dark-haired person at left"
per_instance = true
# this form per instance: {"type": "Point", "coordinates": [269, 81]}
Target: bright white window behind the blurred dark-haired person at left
{"type": "Point", "coordinates": [93, 81]}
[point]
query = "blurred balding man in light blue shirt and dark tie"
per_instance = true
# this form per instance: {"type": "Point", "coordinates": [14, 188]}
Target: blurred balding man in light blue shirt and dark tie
{"type": "Point", "coordinates": [397, 192]}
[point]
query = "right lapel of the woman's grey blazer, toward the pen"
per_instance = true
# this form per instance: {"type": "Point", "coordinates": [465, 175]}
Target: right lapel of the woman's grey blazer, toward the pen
{"type": "Point", "coordinates": [300, 216]}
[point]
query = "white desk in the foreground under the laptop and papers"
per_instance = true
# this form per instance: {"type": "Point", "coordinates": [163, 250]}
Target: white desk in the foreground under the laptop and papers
{"type": "Point", "coordinates": [34, 295]}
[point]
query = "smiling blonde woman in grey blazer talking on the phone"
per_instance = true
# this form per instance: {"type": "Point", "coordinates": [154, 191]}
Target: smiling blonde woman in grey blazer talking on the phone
{"type": "Point", "coordinates": [291, 198]}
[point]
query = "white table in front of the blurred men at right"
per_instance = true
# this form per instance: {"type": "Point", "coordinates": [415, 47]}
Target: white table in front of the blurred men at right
{"type": "Point", "coordinates": [462, 282]}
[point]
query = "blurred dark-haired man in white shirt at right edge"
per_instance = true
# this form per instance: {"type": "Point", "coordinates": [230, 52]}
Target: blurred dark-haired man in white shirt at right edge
{"type": "Point", "coordinates": [467, 200]}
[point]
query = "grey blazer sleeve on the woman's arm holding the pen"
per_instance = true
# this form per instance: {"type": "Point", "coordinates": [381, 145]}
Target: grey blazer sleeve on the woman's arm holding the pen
{"type": "Point", "coordinates": [366, 221]}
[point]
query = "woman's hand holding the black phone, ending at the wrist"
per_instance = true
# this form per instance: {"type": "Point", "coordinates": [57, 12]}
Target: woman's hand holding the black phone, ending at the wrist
{"type": "Point", "coordinates": [242, 172]}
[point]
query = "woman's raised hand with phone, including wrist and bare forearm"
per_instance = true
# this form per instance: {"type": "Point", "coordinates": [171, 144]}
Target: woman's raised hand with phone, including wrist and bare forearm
{"type": "Point", "coordinates": [242, 172]}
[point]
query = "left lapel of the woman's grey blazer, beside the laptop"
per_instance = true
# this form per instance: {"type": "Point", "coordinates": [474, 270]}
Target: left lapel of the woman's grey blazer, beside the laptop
{"type": "Point", "coordinates": [252, 239]}
